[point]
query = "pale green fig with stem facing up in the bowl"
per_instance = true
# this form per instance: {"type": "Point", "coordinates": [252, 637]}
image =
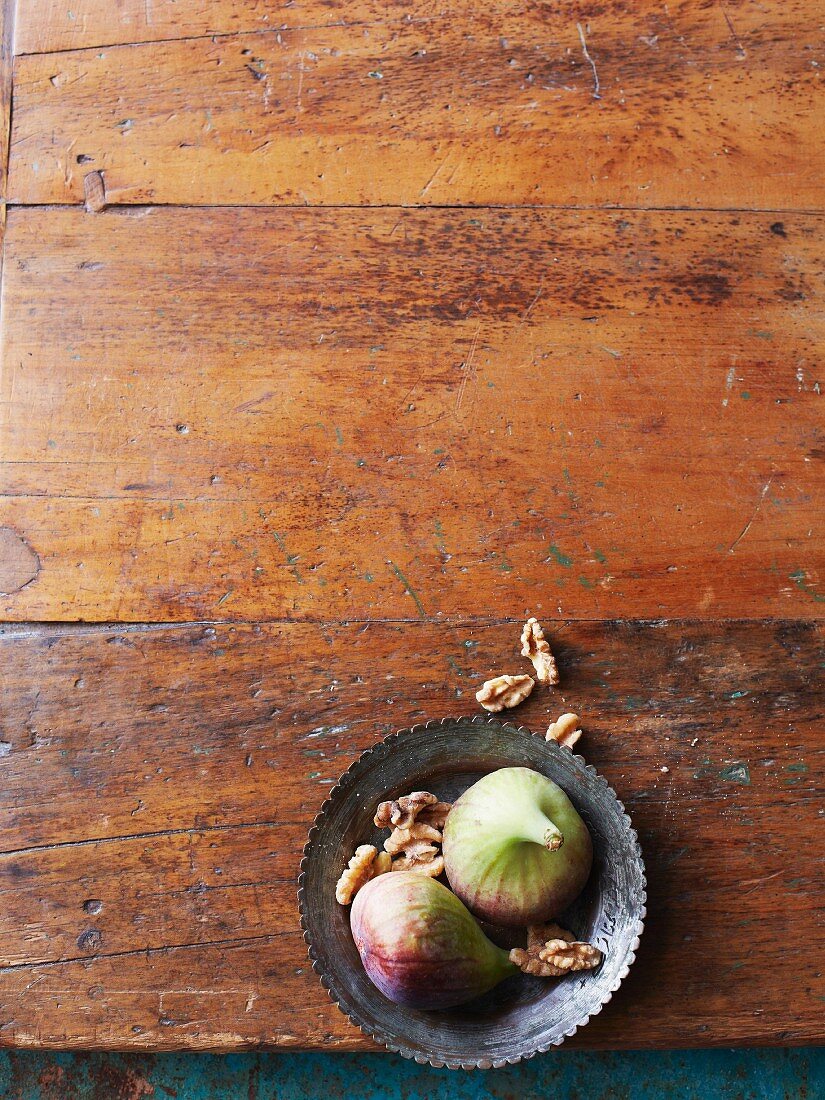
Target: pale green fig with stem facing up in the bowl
{"type": "Point", "coordinates": [515, 850]}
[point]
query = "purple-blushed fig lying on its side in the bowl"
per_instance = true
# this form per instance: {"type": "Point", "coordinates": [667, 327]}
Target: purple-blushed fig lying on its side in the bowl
{"type": "Point", "coordinates": [421, 947]}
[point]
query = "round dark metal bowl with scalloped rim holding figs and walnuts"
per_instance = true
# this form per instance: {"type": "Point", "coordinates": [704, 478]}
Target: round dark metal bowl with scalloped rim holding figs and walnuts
{"type": "Point", "coordinates": [524, 1016]}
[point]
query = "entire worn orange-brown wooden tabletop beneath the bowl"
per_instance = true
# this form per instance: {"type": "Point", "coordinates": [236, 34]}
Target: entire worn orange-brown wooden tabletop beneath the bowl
{"type": "Point", "coordinates": [337, 338]}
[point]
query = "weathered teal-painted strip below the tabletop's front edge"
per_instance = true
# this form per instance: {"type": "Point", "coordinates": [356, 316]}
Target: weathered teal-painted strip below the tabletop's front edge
{"type": "Point", "coordinates": [563, 1075]}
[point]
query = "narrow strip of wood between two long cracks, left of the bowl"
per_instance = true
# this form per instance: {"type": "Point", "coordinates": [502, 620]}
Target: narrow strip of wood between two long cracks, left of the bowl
{"type": "Point", "coordinates": [193, 887]}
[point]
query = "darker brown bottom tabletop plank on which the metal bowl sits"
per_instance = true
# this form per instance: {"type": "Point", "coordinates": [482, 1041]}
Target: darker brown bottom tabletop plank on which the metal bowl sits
{"type": "Point", "coordinates": [158, 785]}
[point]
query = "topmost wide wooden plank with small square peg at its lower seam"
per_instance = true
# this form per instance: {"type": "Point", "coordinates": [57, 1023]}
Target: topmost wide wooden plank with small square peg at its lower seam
{"type": "Point", "coordinates": [636, 105]}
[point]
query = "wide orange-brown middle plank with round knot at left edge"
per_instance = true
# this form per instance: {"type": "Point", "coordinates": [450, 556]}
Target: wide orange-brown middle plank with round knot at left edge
{"type": "Point", "coordinates": [401, 414]}
